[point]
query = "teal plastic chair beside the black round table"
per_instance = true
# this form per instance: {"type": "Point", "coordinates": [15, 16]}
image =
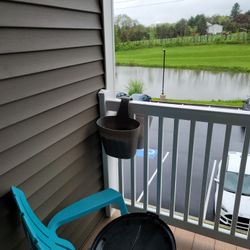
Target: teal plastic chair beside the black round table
{"type": "Point", "coordinates": [44, 238]}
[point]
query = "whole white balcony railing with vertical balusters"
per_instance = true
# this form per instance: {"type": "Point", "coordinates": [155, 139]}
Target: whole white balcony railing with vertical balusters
{"type": "Point", "coordinates": [212, 117]}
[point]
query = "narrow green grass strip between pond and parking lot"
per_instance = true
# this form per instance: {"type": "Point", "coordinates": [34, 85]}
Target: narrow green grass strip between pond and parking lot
{"type": "Point", "coordinates": [221, 103]}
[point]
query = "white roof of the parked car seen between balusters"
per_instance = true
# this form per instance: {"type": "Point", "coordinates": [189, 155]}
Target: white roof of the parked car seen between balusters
{"type": "Point", "coordinates": [234, 159]}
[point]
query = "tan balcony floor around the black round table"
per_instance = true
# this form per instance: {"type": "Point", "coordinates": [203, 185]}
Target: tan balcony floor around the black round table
{"type": "Point", "coordinates": [185, 240]}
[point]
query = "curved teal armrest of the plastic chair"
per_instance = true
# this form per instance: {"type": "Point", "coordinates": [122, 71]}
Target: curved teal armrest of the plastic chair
{"type": "Point", "coordinates": [87, 205]}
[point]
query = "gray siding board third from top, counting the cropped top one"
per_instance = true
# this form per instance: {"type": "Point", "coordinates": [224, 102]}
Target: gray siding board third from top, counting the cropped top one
{"type": "Point", "coordinates": [25, 40]}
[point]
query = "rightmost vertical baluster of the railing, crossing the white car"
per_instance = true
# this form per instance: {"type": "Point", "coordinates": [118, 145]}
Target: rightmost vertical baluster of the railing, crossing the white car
{"type": "Point", "coordinates": [240, 180]}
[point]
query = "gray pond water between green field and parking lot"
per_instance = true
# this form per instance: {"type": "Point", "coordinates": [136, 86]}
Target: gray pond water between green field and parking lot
{"type": "Point", "coordinates": [186, 84]}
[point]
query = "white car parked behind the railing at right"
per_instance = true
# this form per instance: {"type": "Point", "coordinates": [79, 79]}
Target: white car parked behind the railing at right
{"type": "Point", "coordinates": [230, 187]}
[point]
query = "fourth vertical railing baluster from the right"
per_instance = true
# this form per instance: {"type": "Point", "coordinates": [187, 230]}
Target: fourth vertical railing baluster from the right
{"type": "Point", "coordinates": [189, 169]}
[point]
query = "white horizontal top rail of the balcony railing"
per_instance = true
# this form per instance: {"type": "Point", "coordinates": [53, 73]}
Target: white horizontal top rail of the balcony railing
{"type": "Point", "coordinates": [186, 112]}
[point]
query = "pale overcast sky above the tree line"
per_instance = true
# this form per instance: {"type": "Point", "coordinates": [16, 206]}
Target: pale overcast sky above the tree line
{"type": "Point", "coordinates": [159, 11]}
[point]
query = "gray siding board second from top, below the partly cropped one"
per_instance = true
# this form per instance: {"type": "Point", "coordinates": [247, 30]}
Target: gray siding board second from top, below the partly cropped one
{"type": "Point", "coordinates": [33, 16]}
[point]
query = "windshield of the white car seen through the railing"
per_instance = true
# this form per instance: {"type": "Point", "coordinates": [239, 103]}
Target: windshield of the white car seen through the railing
{"type": "Point", "coordinates": [231, 179]}
